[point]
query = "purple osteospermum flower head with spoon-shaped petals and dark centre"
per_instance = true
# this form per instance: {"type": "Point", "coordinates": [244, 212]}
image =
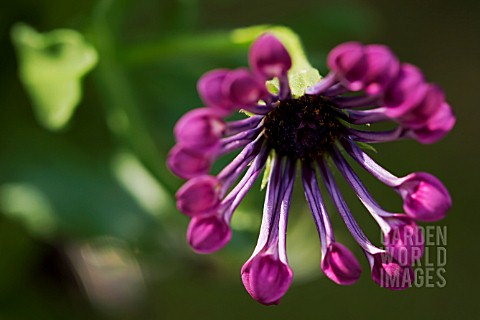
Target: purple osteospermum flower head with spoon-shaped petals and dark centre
{"type": "Point", "coordinates": [313, 132]}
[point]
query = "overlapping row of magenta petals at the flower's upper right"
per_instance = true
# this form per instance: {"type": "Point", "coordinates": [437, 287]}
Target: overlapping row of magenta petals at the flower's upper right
{"type": "Point", "coordinates": [391, 90]}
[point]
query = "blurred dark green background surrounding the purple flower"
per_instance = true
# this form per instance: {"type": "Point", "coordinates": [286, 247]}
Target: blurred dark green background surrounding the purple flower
{"type": "Point", "coordinates": [88, 227]}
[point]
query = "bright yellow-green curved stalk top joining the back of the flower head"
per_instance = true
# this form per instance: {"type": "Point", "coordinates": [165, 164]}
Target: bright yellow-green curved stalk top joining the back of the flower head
{"type": "Point", "coordinates": [302, 75]}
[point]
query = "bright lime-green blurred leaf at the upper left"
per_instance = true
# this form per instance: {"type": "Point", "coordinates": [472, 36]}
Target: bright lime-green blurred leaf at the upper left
{"type": "Point", "coordinates": [51, 66]}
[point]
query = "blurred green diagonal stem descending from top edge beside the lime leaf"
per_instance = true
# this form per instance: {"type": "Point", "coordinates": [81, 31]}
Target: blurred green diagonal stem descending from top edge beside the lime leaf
{"type": "Point", "coordinates": [123, 112]}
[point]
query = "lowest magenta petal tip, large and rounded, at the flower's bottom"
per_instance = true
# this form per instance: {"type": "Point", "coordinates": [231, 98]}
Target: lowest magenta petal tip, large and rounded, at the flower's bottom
{"type": "Point", "coordinates": [266, 278]}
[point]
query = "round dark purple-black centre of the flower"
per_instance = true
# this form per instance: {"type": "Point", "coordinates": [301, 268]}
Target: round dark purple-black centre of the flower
{"type": "Point", "coordinates": [303, 128]}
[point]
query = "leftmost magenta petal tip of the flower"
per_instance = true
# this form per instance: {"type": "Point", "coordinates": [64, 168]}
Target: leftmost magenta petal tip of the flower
{"type": "Point", "coordinates": [187, 163]}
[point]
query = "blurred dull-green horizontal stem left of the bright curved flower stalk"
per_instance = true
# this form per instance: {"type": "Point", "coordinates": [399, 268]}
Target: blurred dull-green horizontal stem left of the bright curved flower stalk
{"type": "Point", "coordinates": [215, 44]}
